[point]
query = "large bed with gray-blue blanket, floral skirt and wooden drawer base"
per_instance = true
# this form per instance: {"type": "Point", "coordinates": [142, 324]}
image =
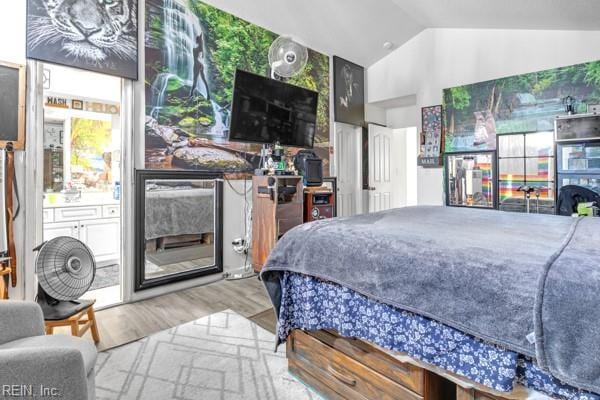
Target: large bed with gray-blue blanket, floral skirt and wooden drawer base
{"type": "Point", "coordinates": [504, 302]}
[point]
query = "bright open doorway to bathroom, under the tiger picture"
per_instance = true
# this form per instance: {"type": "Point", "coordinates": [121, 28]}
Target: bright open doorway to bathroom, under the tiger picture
{"type": "Point", "coordinates": [82, 170]}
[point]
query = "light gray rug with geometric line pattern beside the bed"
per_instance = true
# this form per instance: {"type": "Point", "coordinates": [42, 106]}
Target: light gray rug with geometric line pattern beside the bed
{"type": "Point", "coordinates": [223, 356]}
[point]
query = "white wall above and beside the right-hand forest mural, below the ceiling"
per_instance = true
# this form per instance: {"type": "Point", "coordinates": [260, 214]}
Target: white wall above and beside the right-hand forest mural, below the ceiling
{"type": "Point", "coordinates": [441, 58]}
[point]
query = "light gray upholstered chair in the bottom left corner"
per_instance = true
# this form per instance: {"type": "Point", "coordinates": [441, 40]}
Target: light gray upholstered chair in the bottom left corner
{"type": "Point", "coordinates": [53, 366]}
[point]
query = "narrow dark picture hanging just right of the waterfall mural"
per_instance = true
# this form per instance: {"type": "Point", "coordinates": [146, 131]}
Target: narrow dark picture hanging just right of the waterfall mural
{"type": "Point", "coordinates": [348, 92]}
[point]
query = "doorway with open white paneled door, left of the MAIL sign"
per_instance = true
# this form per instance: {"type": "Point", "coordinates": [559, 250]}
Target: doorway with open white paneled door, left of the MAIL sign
{"type": "Point", "coordinates": [392, 167]}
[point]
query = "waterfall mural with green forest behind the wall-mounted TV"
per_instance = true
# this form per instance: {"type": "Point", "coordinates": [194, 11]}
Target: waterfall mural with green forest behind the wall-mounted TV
{"type": "Point", "coordinates": [192, 52]}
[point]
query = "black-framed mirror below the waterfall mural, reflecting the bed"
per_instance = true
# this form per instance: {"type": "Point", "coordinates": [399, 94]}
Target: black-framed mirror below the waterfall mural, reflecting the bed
{"type": "Point", "coordinates": [178, 226]}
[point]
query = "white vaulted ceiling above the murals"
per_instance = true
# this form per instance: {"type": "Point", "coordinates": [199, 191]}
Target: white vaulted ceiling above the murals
{"type": "Point", "coordinates": [357, 29]}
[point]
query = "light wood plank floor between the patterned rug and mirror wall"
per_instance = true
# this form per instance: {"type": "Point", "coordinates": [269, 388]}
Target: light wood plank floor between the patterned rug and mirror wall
{"type": "Point", "coordinates": [129, 322]}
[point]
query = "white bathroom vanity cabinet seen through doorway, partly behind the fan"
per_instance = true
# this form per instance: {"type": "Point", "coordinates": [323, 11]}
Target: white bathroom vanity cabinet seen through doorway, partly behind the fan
{"type": "Point", "coordinates": [92, 225]}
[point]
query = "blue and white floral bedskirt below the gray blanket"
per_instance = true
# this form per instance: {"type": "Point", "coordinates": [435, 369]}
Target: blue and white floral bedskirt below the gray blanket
{"type": "Point", "coordinates": [312, 304]}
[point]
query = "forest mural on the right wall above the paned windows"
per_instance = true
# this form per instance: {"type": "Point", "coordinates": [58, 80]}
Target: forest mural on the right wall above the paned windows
{"type": "Point", "coordinates": [476, 113]}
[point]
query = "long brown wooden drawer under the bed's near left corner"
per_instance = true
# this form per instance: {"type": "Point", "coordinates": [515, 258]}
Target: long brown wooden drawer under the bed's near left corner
{"type": "Point", "coordinates": [344, 375]}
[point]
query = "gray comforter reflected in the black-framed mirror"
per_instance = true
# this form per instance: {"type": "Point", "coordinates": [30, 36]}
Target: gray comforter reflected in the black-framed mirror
{"type": "Point", "coordinates": [173, 212]}
